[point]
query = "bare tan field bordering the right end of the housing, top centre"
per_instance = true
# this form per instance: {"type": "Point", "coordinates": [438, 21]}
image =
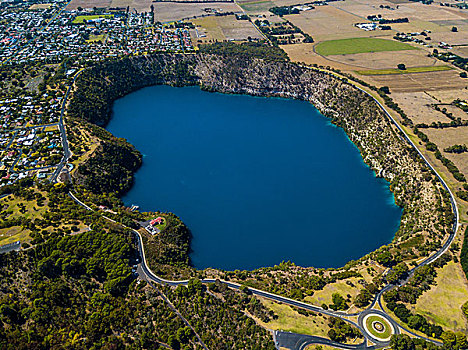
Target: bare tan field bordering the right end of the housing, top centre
{"type": "Point", "coordinates": [219, 28]}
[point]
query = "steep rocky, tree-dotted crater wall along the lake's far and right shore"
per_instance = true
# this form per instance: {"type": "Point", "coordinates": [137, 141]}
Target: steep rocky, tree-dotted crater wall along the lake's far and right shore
{"type": "Point", "coordinates": [364, 122]}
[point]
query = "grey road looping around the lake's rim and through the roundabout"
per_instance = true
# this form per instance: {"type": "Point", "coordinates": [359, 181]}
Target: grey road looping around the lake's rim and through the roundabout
{"type": "Point", "coordinates": [287, 339]}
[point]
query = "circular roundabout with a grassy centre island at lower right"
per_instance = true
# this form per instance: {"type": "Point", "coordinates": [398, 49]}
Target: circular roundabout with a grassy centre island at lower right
{"type": "Point", "coordinates": [377, 326]}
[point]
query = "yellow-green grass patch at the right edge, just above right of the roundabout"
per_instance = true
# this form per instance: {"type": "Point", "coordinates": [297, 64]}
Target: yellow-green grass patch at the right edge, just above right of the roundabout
{"type": "Point", "coordinates": [442, 303]}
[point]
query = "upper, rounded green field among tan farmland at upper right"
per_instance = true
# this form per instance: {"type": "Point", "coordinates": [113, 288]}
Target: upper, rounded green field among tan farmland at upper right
{"type": "Point", "coordinates": [359, 45]}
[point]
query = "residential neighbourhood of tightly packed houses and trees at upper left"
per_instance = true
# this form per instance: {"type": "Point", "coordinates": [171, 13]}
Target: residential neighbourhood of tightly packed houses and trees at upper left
{"type": "Point", "coordinates": [47, 36]}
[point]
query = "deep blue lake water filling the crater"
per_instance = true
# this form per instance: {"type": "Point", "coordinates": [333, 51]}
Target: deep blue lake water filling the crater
{"type": "Point", "coordinates": [257, 180]}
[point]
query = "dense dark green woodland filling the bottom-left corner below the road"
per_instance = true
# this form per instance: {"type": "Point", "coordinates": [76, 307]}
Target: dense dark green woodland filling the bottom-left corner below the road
{"type": "Point", "coordinates": [78, 291]}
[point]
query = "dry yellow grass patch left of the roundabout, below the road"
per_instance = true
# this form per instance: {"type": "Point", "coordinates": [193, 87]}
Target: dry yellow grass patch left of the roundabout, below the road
{"type": "Point", "coordinates": [292, 321]}
